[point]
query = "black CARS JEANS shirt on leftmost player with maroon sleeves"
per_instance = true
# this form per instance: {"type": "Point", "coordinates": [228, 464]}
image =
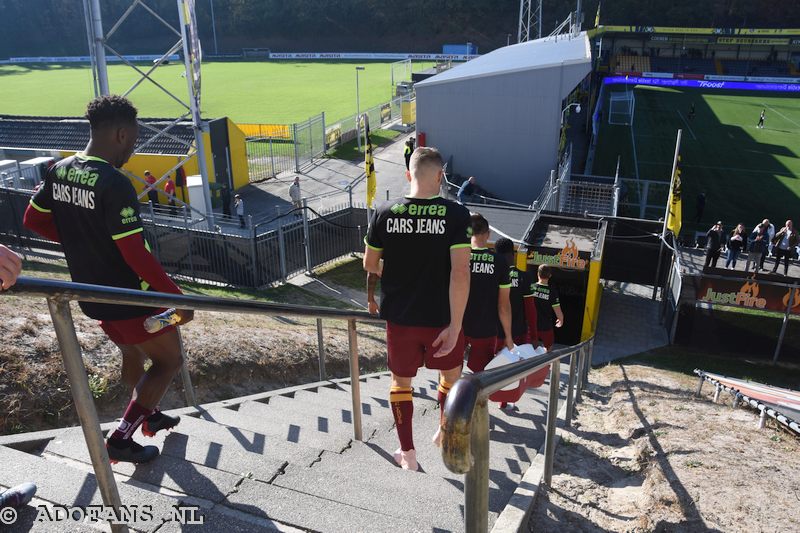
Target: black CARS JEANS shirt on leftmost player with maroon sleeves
{"type": "Point", "coordinates": [93, 205]}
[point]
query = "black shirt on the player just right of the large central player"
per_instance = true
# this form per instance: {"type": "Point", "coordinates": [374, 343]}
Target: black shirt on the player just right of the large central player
{"type": "Point", "coordinates": [488, 274]}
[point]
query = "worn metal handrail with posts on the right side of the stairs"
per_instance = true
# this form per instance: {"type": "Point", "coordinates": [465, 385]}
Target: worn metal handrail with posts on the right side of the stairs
{"type": "Point", "coordinates": [465, 442]}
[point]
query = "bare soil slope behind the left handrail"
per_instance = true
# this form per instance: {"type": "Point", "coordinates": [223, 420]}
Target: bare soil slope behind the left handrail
{"type": "Point", "coordinates": [227, 356]}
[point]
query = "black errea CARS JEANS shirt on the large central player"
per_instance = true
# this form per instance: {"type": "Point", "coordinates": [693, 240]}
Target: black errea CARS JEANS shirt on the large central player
{"type": "Point", "coordinates": [416, 236]}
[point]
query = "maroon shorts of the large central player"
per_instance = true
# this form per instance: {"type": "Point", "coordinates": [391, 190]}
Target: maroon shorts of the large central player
{"type": "Point", "coordinates": [411, 348]}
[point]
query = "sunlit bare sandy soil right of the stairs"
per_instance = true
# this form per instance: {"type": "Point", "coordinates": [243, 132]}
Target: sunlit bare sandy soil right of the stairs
{"type": "Point", "coordinates": [645, 455]}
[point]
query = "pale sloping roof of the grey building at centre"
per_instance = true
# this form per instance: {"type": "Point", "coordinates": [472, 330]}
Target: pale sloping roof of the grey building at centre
{"type": "Point", "coordinates": [531, 55]}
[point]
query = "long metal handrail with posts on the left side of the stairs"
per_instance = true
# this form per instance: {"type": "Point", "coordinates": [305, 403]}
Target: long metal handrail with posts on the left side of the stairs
{"type": "Point", "coordinates": [60, 293]}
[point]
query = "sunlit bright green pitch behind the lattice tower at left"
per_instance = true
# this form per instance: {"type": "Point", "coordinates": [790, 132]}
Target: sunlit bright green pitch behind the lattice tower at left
{"type": "Point", "coordinates": [247, 92]}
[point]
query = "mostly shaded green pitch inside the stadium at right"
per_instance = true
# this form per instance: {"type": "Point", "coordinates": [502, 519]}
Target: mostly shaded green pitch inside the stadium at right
{"type": "Point", "coordinates": [747, 173]}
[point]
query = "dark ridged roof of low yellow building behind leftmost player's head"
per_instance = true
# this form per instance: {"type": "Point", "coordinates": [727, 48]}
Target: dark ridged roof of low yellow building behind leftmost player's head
{"type": "Point", "coordinates": [71, 134]}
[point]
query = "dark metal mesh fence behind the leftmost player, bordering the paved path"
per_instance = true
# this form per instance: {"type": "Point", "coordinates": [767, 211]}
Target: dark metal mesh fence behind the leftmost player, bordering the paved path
{"type": "Point", "coordinates": [258, 256]}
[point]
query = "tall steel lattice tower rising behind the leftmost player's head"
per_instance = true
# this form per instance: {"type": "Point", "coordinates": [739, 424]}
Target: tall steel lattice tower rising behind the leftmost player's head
{"type": "Point", "coordinates": [189, 42]}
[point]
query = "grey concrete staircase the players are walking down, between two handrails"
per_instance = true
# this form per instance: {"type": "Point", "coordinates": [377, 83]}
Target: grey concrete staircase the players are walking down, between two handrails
{"type": "Point", "coordinates": [284, 461]}
